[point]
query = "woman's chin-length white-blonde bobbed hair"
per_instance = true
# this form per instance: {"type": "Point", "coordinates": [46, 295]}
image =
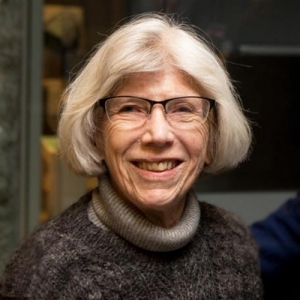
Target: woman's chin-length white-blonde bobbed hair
{"type": "Point", "coordinates": [149, 43]}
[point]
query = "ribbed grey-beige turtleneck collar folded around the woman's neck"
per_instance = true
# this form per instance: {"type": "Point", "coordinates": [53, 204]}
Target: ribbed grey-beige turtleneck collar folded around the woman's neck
{"type": "Point", "coordinates": [124, 219]}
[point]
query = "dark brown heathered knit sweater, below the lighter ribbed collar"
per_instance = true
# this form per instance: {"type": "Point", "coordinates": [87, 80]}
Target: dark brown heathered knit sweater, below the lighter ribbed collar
{"type": "Point", "coordinates": [76, 256]}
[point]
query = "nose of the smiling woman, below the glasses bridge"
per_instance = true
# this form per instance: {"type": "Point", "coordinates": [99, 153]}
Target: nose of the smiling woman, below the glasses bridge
{"type": "Point", "coordinates": [158, 131]}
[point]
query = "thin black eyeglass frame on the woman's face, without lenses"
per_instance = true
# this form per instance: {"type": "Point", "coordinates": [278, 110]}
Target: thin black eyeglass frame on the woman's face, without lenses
{"type": "Point", "coordinates": [101, 102]}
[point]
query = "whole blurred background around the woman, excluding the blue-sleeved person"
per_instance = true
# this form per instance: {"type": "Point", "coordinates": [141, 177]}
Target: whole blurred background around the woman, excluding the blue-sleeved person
{"type": "Point", "coordinates": [44, 43]}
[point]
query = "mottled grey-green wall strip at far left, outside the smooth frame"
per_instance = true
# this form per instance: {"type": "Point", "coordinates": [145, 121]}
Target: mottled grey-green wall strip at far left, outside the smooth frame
{"type": "Point", "coordinates": [11, 36]}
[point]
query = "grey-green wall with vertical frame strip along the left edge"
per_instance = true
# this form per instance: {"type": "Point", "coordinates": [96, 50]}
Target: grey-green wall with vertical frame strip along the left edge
{"type": "Point", "coordinates": [20, 120]}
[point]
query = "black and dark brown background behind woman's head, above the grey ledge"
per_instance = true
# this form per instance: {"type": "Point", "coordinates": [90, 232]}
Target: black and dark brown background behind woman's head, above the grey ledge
{"type": "Point", "coordinates": [260, 43]}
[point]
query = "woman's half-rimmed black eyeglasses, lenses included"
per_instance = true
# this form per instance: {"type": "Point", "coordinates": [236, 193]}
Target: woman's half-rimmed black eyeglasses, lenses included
{"type": "Point", "coordinates": [135, 110]}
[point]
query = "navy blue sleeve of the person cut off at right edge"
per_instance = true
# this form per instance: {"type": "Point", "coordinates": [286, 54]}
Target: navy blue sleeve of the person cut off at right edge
{"type": "Point", "coordinates": [278, 238]}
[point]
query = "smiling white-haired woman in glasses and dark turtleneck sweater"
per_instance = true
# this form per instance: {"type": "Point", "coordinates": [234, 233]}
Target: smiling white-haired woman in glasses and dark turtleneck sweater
{"type": "Point", "coordinates": [151, 111]}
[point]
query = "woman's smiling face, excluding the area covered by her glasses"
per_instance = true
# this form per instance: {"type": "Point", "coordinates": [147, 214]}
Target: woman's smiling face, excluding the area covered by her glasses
{"type": "Point", "coordinates": [154, 165]}
